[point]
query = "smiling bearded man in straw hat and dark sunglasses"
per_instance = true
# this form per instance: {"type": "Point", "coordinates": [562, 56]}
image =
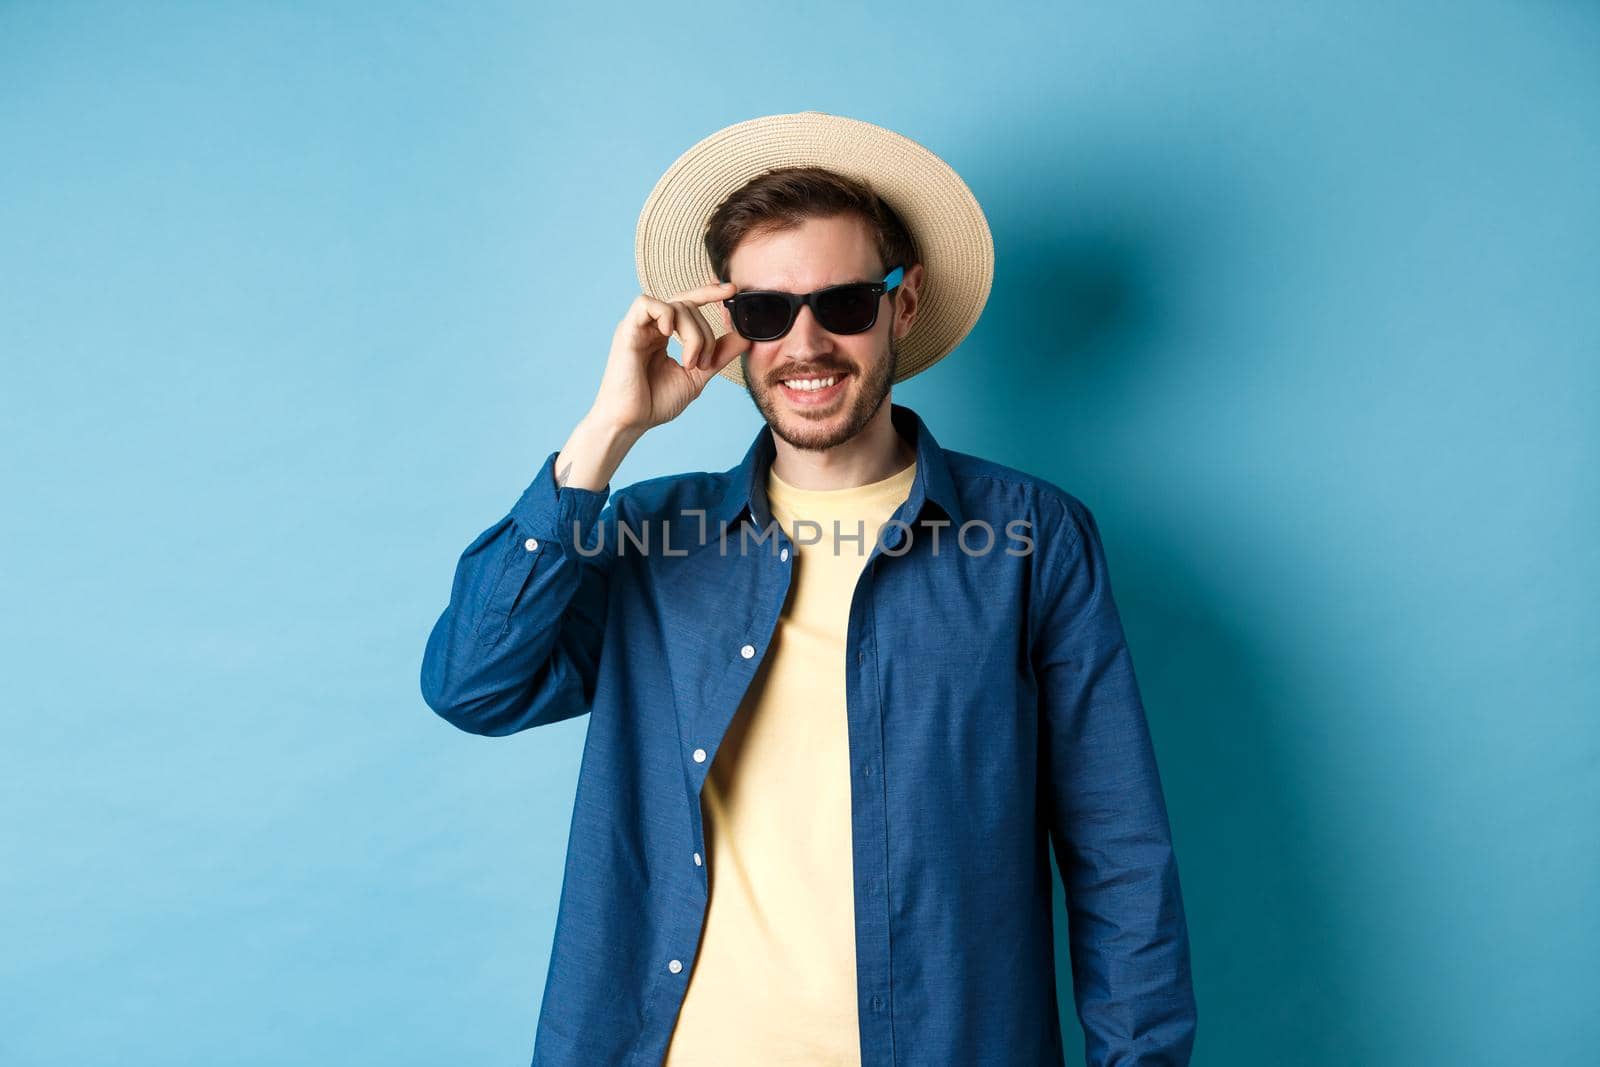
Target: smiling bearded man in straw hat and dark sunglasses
{"type": "Point", "coordinates": [846, 693]}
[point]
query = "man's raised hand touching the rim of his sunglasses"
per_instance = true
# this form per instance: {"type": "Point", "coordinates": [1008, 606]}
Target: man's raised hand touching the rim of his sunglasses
{"type": "Point", "coordinates": [642, 386]}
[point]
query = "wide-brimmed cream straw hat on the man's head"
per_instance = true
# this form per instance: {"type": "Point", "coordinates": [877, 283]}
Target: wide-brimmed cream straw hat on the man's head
{"type": "Point", "coordinates": [938, 209]}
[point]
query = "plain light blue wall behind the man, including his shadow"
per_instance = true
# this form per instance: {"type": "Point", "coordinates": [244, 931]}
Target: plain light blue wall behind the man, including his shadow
{"type": "Point", "coordinates": [297, 298]}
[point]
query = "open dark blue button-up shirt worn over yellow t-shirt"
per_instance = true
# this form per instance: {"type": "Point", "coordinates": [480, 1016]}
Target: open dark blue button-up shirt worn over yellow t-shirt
{"type": "Point", "coordinates": [993, 709]}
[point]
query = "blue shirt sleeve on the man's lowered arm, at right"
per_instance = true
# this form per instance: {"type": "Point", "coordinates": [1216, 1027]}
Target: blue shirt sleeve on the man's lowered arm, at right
{"type": "Point", "coordinates": [1108, 817]}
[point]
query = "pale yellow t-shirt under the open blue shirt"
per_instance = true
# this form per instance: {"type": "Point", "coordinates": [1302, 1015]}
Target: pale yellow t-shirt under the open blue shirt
{"type": "Point", "coordinates": [775, 978]}
